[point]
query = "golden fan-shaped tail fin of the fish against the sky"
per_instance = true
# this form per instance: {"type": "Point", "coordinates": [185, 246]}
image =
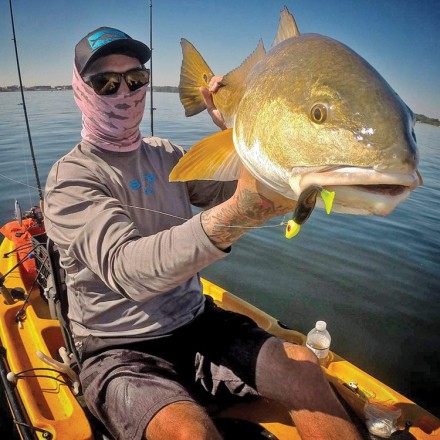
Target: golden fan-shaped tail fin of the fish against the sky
{"type": "Point", "coordinates": [194, 73]}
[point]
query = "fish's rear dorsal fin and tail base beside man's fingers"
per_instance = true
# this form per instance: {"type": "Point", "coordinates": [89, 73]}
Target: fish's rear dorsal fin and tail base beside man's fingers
{"type": "Point", "coordinates": [228, 97]}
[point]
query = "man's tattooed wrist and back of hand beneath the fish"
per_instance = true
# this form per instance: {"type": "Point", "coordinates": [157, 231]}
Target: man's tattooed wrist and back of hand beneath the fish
{"type": "Point", "coordinates": [227, 222]}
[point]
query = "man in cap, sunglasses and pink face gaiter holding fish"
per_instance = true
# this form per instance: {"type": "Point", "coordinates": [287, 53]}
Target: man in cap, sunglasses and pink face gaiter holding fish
{"type": "Point", "coordinates": [153, 348]}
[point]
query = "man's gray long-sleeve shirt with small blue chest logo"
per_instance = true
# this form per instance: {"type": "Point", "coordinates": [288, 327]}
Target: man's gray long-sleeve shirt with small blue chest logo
{"type": "Point", "coordinates": [128, 239]}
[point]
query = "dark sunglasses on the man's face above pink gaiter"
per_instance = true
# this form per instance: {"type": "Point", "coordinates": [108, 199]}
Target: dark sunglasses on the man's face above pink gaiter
{"type": "Point", "coordinates": [108, 83]}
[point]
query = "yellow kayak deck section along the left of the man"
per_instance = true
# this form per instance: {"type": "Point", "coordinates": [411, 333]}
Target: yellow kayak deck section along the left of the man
{"type": "Point", "coordinates": [48, 403]}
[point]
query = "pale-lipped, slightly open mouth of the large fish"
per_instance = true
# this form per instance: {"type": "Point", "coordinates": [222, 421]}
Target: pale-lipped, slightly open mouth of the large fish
{"type": "Point", "coordinates": [357, 190]}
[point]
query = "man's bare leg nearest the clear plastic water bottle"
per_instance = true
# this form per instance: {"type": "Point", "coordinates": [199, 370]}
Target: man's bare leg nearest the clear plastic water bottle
{"type": "Point", "coordinates": [291, 374]}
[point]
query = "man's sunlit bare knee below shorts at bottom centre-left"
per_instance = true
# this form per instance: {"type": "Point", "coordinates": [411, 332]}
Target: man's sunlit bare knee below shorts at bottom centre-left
{"type": "Point", "coordinates": [182, 421]}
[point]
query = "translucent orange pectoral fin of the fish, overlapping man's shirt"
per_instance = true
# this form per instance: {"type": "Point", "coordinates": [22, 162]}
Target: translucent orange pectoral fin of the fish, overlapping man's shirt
{"type": "Point", "coordinates": [213, 158]}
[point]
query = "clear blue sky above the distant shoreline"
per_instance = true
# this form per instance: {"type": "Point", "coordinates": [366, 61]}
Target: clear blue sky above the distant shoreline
{"type": "Point", "coordinates": [400, 38]}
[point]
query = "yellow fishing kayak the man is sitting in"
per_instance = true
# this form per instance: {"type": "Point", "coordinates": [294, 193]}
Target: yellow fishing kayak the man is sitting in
{"type": "Point", "coordinates": [45, 401]}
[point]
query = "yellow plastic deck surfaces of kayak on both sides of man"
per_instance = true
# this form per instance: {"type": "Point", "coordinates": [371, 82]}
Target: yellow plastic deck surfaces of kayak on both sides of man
{"type": "Point", "coordinates": [50, 405]}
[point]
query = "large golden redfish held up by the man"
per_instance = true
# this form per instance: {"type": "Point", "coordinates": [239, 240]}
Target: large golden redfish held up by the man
{"type": "Point", "coordinates": [308, 114]}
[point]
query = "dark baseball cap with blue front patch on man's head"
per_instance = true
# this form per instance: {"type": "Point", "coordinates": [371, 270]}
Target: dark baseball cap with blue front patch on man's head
{"type": "Point", "coordinates": [105, 41]}
